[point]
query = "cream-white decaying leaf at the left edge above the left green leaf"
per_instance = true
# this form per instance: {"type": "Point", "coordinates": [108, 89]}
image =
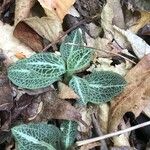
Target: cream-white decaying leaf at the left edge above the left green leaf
{"type": "Point", "coordinates": [14, 46]}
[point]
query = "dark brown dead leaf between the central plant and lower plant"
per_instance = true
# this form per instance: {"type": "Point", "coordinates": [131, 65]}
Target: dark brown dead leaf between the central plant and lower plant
{"type": "Point", "coordinates": [55, 108]}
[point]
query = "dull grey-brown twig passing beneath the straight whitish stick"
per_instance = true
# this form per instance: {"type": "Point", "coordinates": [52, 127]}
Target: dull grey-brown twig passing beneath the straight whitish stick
{"type": "Point", "coordinates": [99, 132]}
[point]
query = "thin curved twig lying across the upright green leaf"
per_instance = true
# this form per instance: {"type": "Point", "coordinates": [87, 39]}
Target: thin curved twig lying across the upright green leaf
{"type": "Point", "coordinates": [98, 50]}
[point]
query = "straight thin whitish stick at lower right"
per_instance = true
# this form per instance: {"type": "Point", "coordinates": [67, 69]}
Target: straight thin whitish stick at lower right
{"type": "Point", "coordinates": [80, 143]}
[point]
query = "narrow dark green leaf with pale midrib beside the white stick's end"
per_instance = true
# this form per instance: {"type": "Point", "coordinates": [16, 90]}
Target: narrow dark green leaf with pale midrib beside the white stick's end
{"type": "Point", "coordinates": [69, 131]}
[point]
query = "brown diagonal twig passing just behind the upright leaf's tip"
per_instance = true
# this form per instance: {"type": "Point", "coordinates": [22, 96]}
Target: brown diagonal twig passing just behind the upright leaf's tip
{"type": "Point", "coordinates": [63, 34]}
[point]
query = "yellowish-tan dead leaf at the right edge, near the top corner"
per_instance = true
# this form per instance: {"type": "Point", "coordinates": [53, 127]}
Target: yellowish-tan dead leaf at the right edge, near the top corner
{"type": "Point", "coordinates": [144, 19]}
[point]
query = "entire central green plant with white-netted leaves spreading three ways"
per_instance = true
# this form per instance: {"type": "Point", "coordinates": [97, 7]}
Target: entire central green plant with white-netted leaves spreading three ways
{"type": "Point", "coordinates": [43, 69]}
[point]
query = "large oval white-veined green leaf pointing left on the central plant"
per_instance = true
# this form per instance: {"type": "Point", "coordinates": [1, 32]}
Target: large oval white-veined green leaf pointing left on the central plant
{"type": "Point", "coordinates": [40, 70]}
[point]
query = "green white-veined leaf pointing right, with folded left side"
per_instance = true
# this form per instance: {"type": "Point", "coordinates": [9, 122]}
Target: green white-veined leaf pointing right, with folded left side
{"type": "Point", "coordinates": [98, 87]}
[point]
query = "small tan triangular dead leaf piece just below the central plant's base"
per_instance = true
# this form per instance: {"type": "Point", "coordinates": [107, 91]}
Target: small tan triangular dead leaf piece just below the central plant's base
{"type": "Point", "coordinates": [65, 92]}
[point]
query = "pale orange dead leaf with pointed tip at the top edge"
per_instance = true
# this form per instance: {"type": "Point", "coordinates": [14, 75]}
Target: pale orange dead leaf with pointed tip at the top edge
{"type": "Point", "coordinates": [60, 7]}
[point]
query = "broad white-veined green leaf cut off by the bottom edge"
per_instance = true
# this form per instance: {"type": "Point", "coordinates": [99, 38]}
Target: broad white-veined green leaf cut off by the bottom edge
{"type": "Point", "coordinates": [40, 136]}
